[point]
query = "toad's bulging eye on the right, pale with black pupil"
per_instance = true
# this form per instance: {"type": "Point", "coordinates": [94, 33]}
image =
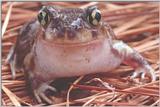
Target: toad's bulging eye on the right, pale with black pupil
{"type": "Point", "coordinates": [94, 16]}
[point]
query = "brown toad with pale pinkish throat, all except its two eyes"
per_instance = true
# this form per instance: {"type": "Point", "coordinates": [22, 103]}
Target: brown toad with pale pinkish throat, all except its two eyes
{"type": "Point", "coordinates": [70, 46]}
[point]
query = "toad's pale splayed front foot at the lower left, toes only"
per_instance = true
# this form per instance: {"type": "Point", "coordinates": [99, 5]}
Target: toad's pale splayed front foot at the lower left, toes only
{"type": "Point", "coordinates": [39, 93]}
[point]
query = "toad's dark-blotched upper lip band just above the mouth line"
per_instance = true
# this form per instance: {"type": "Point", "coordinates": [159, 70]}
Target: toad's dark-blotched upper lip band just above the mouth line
{"type": "Point", "coordinates": [81, 36]}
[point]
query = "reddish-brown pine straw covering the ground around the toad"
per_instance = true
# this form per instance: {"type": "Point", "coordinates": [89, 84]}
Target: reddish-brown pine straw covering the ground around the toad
{"type": "Point", "coordinates": [135, 23]}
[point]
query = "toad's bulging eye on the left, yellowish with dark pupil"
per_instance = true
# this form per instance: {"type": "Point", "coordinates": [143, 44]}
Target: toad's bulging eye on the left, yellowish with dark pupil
{"type": "Point", "coordinates": [43, 18]}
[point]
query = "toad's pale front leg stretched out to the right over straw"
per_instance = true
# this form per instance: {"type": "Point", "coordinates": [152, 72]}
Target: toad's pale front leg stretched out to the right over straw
{"type": "Point", "coordinates": [134, 59]}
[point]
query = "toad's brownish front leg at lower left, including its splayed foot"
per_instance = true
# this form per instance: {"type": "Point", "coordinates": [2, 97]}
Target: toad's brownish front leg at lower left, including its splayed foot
{"type": "Point", "coordinates": [36, 82]}
